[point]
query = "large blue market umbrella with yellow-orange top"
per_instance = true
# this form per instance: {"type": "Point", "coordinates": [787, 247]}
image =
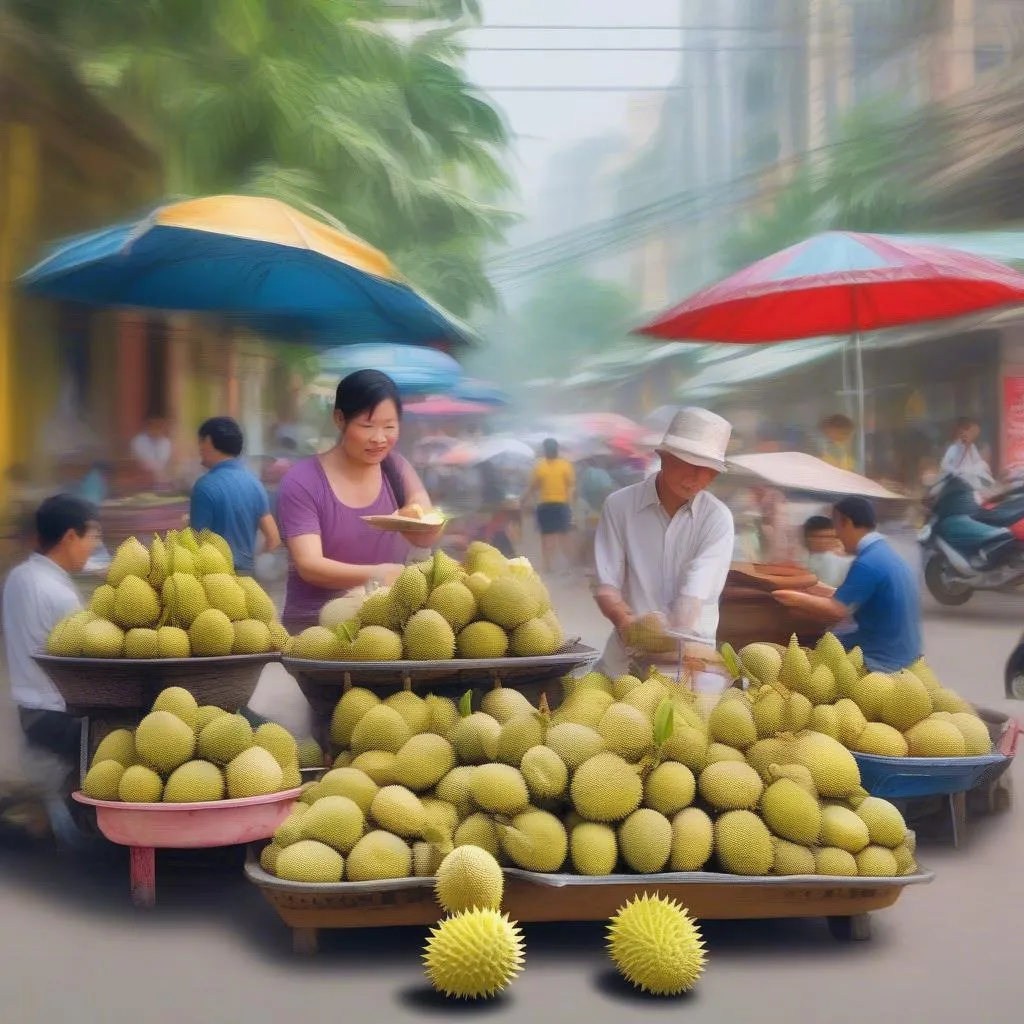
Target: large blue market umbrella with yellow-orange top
{"type": "Point", "coordinates": [260, 262]}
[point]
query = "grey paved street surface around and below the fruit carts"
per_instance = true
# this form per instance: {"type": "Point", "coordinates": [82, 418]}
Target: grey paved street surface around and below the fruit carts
{"type": "Point", "coordinates": [215, 952]}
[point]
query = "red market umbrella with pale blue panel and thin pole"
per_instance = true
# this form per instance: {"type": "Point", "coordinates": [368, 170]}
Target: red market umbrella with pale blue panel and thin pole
{"type": "Point", "coordinates": [841, 283]}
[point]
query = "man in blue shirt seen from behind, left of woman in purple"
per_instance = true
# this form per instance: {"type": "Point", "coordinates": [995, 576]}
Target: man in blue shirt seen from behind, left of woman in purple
{"type": "Point", "coordinates": [229, 500]}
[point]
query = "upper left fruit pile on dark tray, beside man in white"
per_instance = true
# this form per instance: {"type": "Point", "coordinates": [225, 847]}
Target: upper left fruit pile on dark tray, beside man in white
{"type": "Point", "coordinates": [178, 599]}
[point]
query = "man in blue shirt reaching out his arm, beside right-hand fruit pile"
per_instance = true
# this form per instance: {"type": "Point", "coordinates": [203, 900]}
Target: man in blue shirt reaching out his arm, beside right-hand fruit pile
{"type": "Point", "coordinates": [880, 592]}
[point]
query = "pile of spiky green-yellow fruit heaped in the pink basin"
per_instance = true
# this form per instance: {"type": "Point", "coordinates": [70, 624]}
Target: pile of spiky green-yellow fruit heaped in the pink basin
{"type": "Point", "coordinates": [183, 753]}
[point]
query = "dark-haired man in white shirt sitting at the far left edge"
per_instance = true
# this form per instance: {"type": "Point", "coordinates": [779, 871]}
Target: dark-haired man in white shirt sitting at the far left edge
{"type": "Point", "coordinates": [36, 596]}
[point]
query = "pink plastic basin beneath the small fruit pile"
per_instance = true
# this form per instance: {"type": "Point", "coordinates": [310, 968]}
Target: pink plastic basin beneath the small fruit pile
{"type": "Point", "coordinates": [186, 827]}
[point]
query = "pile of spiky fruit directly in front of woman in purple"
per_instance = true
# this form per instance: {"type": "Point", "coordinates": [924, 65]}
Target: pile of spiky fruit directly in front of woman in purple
{"type": "Point", "coordinates": [488, 608]}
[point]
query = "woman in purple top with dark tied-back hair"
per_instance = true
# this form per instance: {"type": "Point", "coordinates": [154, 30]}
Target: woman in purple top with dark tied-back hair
{"type": "Point", "coordinates": [321, 502]}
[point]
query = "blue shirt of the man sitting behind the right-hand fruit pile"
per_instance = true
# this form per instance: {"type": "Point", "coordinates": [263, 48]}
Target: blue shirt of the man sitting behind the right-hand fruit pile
{"type": "Point", "coordinates": [882, 592]}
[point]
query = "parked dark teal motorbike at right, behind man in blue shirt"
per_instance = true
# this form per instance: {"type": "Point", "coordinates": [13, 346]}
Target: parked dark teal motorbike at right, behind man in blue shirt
{"type": "Point", "coordinates": [967, 547]}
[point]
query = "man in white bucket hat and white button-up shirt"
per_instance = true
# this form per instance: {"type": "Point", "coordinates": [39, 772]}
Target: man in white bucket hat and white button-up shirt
{"type": "Point", "coordinates": [664, 546]}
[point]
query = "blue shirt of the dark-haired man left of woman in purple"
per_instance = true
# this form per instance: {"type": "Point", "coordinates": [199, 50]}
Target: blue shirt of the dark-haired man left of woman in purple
{"type": "Point", "coordinates": [230, 501]}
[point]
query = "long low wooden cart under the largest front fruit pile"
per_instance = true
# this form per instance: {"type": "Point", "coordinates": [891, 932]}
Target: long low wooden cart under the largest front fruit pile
{"type": "Point", "coordinates": [530, 899]}
